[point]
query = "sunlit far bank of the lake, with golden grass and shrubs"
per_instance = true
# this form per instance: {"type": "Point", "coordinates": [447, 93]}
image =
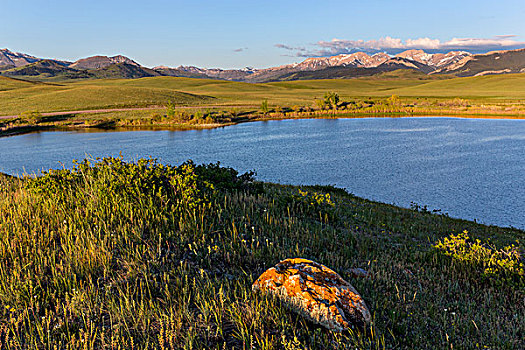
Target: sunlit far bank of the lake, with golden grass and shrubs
{"type": "Point", "coordinates": [205, 117]}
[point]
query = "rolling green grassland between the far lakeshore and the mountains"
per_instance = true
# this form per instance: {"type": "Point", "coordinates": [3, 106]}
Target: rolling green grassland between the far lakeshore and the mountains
{"type": "Point", "coordinates": [18, 96]}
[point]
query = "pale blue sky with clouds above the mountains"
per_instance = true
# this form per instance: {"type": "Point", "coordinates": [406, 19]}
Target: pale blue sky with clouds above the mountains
{"type": "Point", "coordinates": [238, 34]}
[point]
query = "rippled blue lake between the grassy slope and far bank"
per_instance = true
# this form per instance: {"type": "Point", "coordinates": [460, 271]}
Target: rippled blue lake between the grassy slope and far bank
{"type": "Point", "coordinates": [469, 168]}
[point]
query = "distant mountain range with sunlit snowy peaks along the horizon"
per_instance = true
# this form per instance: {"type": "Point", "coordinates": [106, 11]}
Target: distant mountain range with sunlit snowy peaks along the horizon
{"type": "Point", "coordinates": [456, 63]}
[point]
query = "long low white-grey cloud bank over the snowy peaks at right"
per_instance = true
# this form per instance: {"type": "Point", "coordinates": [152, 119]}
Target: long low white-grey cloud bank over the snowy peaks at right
{"type": "Point", "coordinates": [395, 45]}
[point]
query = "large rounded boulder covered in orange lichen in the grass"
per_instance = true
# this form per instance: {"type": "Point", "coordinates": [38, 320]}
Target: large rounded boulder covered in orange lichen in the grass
{"type": "Point", "coordinates": [316, 292]}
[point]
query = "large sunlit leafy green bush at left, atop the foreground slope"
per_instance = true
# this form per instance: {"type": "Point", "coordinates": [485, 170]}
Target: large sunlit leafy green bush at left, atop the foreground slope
{"type": "Point", "coordinates": [113, 180]}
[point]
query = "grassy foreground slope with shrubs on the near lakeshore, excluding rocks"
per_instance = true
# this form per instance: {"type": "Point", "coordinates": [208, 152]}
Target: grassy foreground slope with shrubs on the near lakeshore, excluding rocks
{"type": "Point", "coordinates": [141, 256]}
